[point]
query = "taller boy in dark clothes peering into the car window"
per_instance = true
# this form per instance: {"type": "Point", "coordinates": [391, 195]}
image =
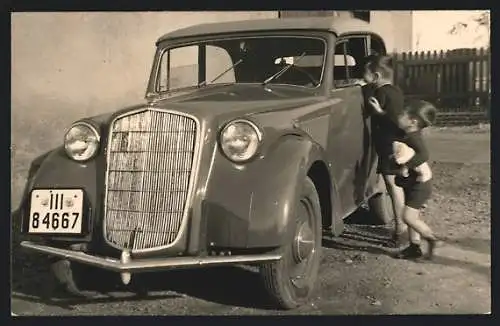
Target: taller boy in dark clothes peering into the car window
{"type": "Point", "coordinates": [378, 76]}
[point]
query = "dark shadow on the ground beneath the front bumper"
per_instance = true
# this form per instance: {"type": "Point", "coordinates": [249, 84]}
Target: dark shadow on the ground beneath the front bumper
{"type": "Point", "coordinates": [231, 286]}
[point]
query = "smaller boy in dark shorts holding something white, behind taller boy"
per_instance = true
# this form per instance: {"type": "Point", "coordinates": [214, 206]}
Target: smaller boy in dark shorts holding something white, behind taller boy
{"type": "Point", "coordinates": [415, 175]}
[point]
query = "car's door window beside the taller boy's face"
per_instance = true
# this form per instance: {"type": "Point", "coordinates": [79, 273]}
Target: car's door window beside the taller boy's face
{"type": "Point", "coordinates": [348, 64]}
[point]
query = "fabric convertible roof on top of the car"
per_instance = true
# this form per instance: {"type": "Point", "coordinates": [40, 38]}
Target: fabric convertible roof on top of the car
{"type": "Point", "coordinates": [336, 25]}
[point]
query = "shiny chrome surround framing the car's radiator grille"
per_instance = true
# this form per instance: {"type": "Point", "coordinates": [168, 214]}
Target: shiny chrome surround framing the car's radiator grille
{"type": "Point", "coordinates": [200, 130]}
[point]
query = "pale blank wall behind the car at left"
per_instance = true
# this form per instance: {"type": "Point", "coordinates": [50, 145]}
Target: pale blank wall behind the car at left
{"type": "Point", "coordinates": [92, 61]}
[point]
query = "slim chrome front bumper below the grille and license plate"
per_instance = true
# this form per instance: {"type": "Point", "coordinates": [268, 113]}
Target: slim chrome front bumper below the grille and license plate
{"type": "Point", "coordinates": [150, 264]}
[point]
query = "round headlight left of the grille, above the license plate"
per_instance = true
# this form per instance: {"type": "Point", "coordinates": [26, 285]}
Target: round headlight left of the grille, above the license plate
{"type": "Point", "coordinates": [81, 142]}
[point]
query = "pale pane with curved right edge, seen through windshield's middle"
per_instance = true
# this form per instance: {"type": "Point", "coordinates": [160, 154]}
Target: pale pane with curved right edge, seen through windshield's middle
{"type": "Point", "coordinates": [217, 61]}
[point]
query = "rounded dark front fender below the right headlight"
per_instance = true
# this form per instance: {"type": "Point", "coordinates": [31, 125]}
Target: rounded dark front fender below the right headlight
{"type": "Point", "coordinates": [249, 206]}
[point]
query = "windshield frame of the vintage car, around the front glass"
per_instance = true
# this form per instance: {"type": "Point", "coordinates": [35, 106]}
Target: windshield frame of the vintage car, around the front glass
{"type": "Point", "coordinates": [151, 91]}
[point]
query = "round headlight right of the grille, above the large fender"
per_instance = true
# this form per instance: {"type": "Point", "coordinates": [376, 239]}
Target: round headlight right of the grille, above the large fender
{"type": "Point", "coordinates": [240, 140]}
